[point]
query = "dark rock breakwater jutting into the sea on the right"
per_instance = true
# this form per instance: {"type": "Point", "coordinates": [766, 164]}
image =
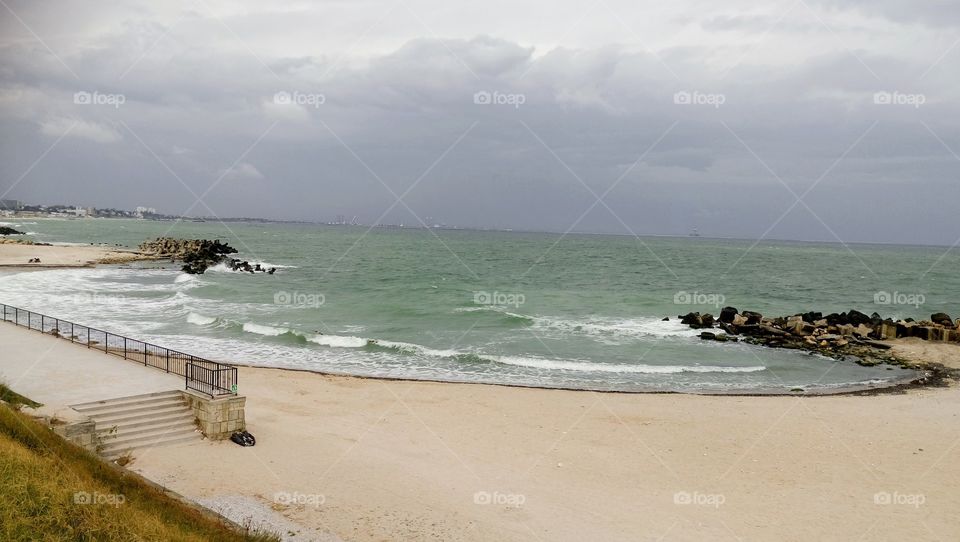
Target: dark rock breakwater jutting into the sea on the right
{"type": "Point", "coordinates": [835, 335]}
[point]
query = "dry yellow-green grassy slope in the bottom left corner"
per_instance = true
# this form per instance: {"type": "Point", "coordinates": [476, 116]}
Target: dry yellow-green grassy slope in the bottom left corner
{"type": "Point", "coordinates": [51, 489]}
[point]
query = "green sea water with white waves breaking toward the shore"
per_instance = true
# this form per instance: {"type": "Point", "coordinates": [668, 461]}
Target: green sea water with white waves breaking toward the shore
{"type": "Point", "coordinates": [533, 309]}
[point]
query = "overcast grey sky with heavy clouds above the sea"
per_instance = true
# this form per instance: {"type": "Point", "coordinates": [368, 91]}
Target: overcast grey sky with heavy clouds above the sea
{"type": "Point", "coordinates": [831, 120]}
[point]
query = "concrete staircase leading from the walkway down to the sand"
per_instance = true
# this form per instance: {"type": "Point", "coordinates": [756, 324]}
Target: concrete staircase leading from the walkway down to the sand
{"type": "Point", "coordinates": [127, 424]}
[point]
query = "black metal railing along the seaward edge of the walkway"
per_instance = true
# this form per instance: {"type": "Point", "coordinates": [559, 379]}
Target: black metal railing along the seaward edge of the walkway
{"type": "Point", "coordinates": [202, 375]}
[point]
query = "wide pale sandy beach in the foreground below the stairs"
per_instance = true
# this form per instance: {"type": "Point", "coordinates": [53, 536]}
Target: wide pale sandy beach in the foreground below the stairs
{"type": "Point", "coordinates": [428, 461]}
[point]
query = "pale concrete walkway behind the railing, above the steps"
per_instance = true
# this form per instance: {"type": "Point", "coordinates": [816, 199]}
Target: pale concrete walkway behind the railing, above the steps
{"type": "Point", "coordinates": [57, 373]}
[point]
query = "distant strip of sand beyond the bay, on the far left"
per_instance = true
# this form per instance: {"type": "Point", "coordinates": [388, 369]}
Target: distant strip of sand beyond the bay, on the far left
{"type": "Point", "coordinates": [15, 255]}
